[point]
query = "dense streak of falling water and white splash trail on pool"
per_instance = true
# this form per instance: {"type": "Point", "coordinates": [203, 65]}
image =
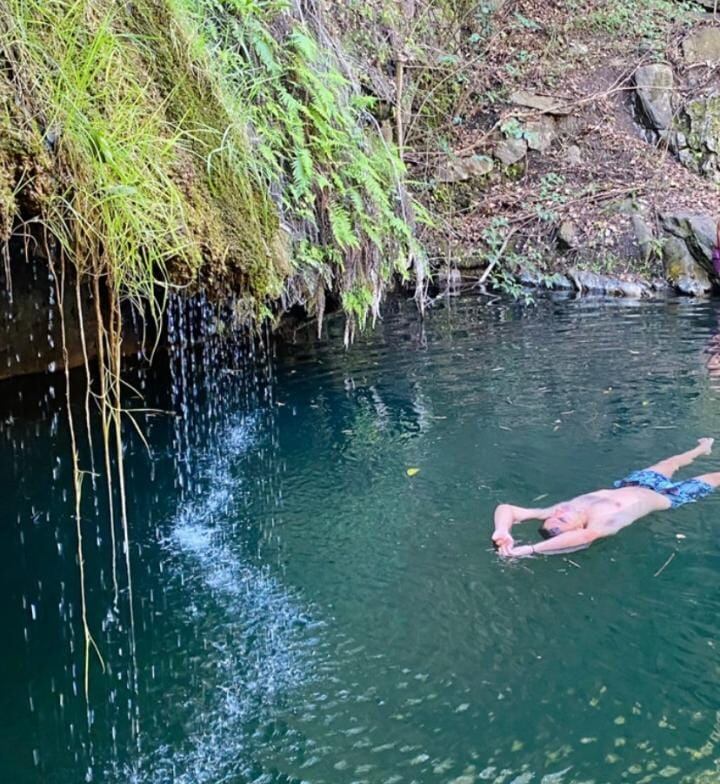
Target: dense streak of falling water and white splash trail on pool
{"type": "Point", "coordinates": [221, 382]}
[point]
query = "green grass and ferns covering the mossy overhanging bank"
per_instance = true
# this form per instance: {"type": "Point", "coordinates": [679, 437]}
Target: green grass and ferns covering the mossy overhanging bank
{"type": "Point", "coordinates": [212, 143]}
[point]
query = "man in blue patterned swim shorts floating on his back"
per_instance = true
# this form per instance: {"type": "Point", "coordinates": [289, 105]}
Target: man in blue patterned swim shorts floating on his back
{"type": "Point", "coordinates": [575, 524]}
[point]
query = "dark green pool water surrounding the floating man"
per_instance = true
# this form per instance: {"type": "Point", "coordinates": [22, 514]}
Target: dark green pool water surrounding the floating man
{"type": "Point", "coordinates": [306, 611]}
